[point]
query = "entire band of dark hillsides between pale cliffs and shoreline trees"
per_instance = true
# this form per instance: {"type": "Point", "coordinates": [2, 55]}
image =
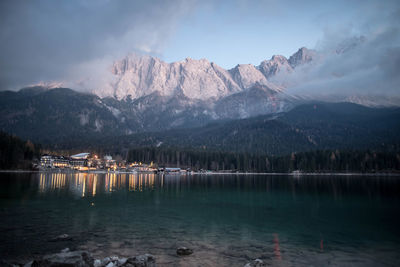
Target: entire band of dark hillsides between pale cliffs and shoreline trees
{"type": "Point", "coordinates": [63, 118]}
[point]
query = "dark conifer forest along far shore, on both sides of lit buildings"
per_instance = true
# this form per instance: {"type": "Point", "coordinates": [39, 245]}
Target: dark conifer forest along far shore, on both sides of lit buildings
{"type": "Point", "coordinates": [16, 153]}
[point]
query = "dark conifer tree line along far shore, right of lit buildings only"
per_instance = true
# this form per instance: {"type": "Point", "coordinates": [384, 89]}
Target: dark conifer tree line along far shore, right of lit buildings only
{"type": "Point", "coordinates": [313, 161]}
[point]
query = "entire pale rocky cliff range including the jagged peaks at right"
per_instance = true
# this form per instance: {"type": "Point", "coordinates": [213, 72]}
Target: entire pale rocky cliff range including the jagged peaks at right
{"type": "Point", "coordinates": [137, 76]}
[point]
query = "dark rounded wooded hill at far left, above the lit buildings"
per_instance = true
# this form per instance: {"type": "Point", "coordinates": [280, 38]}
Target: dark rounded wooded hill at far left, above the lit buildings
{"type": "Point", "coordinates": [57, 115]}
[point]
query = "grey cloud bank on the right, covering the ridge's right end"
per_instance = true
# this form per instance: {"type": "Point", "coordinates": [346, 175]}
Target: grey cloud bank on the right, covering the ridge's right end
{"type": "Point", "coordinates": [362, 60]}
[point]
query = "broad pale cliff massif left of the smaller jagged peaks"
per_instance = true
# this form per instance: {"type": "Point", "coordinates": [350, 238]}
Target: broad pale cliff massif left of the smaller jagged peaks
{"type": "Point", "coordinates": [138, 76]}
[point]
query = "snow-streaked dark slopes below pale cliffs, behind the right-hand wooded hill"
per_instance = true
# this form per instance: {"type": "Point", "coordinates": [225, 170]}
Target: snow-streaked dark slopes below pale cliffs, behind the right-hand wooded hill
{"type": "Point", "coordinates": [62, 115]}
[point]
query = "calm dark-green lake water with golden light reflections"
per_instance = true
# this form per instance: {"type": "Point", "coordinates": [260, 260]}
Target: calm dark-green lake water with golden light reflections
{"type": "Point", "coordinates": [227, 219]}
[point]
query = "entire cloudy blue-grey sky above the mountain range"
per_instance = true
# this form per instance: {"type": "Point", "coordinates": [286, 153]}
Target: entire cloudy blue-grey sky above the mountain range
{"type": "Point", "coordinates": [46, 40]}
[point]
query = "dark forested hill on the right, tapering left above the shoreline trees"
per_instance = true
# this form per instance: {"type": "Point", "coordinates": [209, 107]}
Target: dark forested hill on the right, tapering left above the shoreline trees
{"type": "Point", "coordinates": [315, 126]}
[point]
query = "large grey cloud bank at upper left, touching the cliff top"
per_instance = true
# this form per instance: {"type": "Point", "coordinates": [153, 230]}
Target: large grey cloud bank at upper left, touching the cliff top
{"type": "Point", "coordinates": [52, 40]}
